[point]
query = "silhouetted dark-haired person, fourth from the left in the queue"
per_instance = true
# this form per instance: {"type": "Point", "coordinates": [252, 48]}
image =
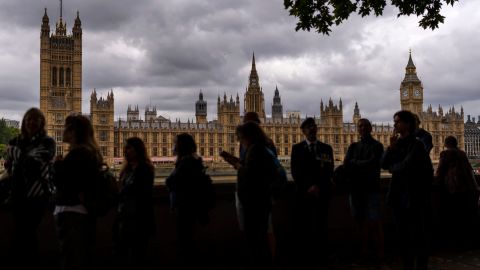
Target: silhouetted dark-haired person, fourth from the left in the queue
{"type": "Point", "coordinates": [184, 184]}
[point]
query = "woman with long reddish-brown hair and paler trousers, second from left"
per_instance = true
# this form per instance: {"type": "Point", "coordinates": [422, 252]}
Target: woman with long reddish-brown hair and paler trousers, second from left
{"type": "Point", "coordinates": [75, 176]}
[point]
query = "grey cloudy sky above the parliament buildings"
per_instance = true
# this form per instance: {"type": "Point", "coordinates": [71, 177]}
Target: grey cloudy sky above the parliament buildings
{"type": "Point", "coordinates": [163, 52]}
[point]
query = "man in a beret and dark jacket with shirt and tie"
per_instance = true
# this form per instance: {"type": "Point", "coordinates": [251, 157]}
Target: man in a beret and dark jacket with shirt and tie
{"type": "Point", "coordinates": [312, 170]}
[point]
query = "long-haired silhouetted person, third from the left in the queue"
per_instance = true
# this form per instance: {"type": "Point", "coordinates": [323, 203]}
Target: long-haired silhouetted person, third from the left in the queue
{"type": "Point", "coordinates": [134, 221]}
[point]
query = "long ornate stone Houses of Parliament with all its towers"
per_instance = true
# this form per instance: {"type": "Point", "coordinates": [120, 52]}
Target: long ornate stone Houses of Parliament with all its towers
{"type": "Point", "coordinates": [61, 94]}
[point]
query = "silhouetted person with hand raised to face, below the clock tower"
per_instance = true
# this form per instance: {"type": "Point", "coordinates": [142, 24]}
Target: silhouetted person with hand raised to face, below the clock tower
{"type": "Point", "coordinates": [409, 195]}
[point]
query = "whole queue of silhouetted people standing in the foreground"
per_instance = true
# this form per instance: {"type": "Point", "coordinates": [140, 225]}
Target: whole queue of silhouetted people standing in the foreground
{"type": "Point", "coordinates": [35, 173]}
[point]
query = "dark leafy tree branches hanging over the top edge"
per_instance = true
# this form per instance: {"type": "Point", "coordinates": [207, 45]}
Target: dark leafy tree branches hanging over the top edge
{"type": "Point", "coordinates": [322, 14]}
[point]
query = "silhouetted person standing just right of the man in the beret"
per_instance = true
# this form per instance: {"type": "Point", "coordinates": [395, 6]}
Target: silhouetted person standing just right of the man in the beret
{"type": "Point", "coordinates": [362, 163]}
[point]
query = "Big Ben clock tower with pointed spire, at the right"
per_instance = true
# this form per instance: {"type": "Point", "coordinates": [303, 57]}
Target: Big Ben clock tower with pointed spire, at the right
{"type": "Point", "coordinates": [411, 89]}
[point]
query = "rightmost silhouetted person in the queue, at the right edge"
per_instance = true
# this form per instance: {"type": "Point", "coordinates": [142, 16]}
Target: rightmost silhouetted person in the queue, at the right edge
{"type": "Point", "coordinates": [460, 194]}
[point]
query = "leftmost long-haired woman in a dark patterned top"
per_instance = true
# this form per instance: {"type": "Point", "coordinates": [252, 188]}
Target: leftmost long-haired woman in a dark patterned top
{"type": "Point", "coordinates": [29, 156]}
